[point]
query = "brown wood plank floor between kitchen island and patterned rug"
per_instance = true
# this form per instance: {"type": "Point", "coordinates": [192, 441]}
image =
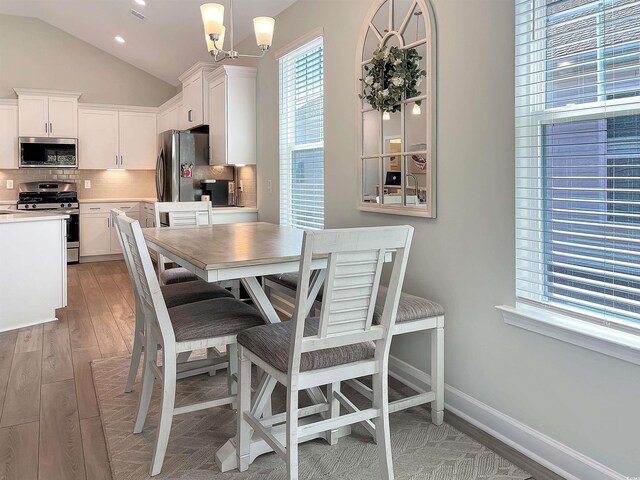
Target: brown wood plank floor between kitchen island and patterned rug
{"type": "Point", "coordinates": [49, 423]}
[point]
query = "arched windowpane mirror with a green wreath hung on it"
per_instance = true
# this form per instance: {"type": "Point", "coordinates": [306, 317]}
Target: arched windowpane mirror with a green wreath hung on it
{"type": "Point", "coordinates": [396, 60]}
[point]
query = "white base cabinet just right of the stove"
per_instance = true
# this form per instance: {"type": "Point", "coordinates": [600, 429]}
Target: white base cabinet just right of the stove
{"type": "Point", "coordinates": [97, 234]}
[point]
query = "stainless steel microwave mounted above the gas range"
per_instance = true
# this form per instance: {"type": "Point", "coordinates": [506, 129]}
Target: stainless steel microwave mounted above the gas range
{"type": "Point", "coordinates": [46, 152]}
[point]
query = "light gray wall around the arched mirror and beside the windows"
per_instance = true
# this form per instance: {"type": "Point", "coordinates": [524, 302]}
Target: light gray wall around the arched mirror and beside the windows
{"type": "Point", "coordinates": [464, 259]}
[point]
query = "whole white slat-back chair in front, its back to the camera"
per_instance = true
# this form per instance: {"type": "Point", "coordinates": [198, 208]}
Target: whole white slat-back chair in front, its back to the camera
{"type": "Point", "coordinates": [340, 344]}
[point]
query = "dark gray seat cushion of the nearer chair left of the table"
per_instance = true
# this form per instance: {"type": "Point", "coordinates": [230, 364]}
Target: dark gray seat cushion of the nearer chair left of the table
{"type": "Point", "coordinates": [213, 318]}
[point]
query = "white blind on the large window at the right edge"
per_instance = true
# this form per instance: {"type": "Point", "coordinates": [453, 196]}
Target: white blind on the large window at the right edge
{"type": "Point", "coordinates": [578, 158]}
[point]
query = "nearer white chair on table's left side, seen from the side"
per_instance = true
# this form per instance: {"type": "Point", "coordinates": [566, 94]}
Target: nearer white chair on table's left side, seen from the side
{"type": "Point", "coordinates": [200, 325]}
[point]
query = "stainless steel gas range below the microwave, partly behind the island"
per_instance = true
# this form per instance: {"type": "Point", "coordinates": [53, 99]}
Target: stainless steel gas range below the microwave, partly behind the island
{"type": "Point", "coordinates": [61, 196]}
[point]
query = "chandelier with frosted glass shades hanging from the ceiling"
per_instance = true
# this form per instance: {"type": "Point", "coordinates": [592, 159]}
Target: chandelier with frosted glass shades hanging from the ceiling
{"type": "Point", "coordinates": [214, 29]}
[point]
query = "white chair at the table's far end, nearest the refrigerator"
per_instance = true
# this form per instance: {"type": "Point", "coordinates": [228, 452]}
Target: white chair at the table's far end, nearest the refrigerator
{"type": "Point", "coordinates": [180, 214]}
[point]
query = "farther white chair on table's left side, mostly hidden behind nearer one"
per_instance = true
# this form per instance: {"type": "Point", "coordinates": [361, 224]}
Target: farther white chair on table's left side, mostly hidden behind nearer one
{"type": "Point", "coordinates": [174, 295]}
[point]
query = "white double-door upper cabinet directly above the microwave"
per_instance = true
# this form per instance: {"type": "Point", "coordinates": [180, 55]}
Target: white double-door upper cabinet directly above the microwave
{"type": "Point", "coordinates": [47, 114]}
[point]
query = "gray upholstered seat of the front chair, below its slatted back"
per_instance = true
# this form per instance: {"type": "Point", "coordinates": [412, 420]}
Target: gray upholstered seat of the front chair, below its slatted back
{"type": "Point", "coordinates": [271, 343]}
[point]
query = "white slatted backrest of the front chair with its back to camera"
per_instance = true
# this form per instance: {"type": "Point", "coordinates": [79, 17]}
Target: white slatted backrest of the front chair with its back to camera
{"type": "Point", "coordinates": [355, 259]}
